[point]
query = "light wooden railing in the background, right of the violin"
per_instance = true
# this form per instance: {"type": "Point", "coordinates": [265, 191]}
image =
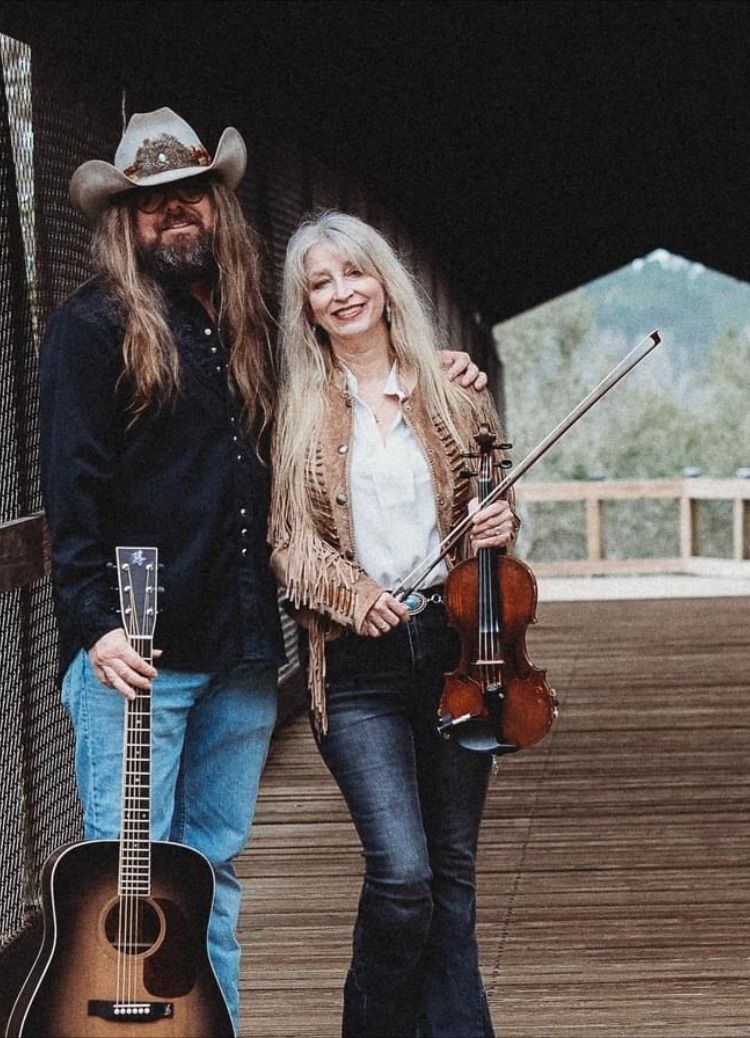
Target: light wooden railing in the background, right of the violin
{"type": "Point", "coordinates": [688, 493]}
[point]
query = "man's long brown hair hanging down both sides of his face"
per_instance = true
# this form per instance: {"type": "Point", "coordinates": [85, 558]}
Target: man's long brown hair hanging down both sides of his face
{"type": "Point", "coordinates": [152, 364]}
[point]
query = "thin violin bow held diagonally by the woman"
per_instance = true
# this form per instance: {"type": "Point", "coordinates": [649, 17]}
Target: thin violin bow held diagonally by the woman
{"type": "Point", "coordinates": [424, 569]}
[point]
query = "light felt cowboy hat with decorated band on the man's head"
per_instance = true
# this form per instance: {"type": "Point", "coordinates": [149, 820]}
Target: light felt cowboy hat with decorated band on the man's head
{"type": "Point", "coordinates": [157, 148]}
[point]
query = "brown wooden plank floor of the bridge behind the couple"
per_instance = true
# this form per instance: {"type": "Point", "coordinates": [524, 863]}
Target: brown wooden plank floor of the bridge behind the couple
{"type": "Point", "coordinates": [615, 877]}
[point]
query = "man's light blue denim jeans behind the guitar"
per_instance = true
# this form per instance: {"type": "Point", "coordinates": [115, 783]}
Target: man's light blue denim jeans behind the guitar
{"type": "Point", "coordinates": [210, 740]}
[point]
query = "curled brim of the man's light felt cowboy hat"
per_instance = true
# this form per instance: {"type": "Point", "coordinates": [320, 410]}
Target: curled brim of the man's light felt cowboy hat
{"type": "Point", "coordinates": [96, 183]}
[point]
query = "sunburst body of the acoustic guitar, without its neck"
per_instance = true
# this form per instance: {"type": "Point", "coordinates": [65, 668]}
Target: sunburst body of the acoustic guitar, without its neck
{"type": "Point", "coordinates": [166, 980]}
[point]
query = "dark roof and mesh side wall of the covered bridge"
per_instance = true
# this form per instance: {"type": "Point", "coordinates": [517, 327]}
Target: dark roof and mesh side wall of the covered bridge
{"type": "Point", "coordinates": [514, 152]}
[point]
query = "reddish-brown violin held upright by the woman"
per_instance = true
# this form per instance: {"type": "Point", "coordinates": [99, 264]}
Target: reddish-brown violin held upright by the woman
{"type": "Point", "coordinates": [495, 700]}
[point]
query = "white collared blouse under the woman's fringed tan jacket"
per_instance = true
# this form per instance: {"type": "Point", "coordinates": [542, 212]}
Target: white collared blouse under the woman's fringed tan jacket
{"type": "Point", "coordinates": [393, 495]}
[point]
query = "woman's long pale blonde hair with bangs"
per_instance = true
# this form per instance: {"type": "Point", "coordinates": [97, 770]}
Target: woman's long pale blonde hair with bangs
{"type": "Point", "coordinates": [307, 360]}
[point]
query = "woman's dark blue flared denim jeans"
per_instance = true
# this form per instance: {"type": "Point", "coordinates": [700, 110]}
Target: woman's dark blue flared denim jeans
{"type": "Point", "coordinates": [416, 801]}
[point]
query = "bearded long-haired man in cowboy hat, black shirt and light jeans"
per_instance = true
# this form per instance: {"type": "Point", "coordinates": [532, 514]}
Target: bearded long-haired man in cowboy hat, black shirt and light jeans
{"type": "Point", "coordinates": [155, 409]}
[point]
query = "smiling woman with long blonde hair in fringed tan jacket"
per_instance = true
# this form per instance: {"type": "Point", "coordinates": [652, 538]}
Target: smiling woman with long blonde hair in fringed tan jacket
{"type": "Point", "coordinates": [369, 479]}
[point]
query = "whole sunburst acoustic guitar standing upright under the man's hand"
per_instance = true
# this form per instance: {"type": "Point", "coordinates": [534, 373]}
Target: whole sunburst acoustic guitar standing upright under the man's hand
{"type": "Point", "coordinates": [125, 921]}
